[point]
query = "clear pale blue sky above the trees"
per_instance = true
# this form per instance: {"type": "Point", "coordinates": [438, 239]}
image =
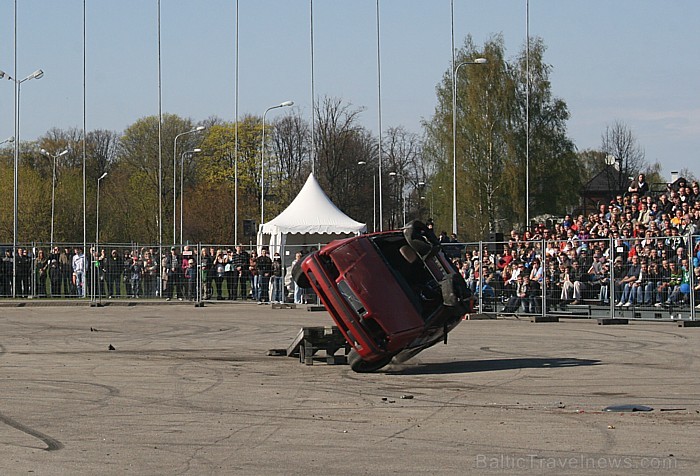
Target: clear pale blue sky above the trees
{"type": "Point", "coordinates": [633, 61]}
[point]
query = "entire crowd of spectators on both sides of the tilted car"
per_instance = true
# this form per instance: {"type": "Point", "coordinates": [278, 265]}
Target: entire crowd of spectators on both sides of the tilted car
{"type": "Point", "coordinates": [640, 249]}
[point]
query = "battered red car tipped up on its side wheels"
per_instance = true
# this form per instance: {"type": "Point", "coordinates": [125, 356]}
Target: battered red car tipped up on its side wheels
{"type": "Point", "coordinates": [392, 294]}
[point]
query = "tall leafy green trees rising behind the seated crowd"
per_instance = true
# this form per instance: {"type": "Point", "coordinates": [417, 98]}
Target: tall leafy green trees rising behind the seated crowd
{"type": "Point", "coordinates": [491, 142]}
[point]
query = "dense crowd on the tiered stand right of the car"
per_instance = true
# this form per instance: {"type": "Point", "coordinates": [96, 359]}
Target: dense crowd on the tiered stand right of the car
{"type": "Point", "coordinates": [640, 249]}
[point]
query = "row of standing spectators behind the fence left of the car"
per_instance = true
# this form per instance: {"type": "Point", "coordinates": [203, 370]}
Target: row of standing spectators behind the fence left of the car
{"type": "Point", "coordinates": [210, 273]}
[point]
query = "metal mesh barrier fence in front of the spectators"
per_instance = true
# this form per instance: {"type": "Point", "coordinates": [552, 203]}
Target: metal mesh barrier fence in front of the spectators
{"type": "Point", "coordinates": [634, 277]}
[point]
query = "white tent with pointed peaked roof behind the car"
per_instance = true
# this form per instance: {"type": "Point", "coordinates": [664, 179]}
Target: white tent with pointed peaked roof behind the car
{"type": "Point", "coordinates": [310, 219]}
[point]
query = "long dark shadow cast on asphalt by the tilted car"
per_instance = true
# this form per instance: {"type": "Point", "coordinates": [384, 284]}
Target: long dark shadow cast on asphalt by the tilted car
{"type": "Point", "coordinates": [490, 365]}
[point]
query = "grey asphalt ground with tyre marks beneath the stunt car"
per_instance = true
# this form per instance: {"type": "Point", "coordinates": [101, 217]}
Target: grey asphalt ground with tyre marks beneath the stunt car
{"type": "Point", "coordinates": [191, 391]}
